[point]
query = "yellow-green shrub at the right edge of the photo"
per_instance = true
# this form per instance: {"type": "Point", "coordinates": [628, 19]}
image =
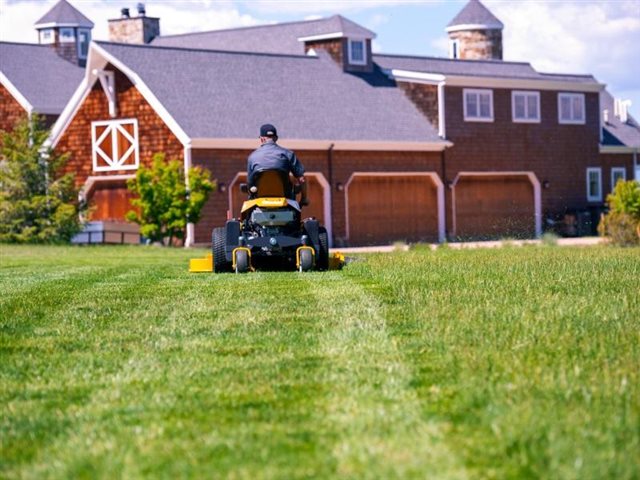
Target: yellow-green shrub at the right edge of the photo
{"type": "Point", "coordinates": [622, 224]}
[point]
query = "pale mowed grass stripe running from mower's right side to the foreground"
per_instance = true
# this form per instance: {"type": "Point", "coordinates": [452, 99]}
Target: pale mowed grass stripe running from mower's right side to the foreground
{"type": "Point", "coordinates": [372, 409]}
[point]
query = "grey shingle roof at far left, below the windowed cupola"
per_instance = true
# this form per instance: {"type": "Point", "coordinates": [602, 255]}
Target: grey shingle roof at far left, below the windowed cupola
{"type": "Point", "coordinates": [46, 80]}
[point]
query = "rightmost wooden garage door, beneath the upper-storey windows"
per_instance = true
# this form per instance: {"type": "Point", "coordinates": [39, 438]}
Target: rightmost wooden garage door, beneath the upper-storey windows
{"type": "Point", "coordinates": [493, 207]}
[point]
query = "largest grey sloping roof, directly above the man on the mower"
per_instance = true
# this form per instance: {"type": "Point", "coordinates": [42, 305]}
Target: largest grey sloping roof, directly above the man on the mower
{"type": "Point", "coordinates": [214, 94]}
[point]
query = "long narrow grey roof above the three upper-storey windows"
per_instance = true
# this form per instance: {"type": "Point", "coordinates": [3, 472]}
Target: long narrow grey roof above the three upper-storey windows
{"type": "Point", "coordinates": [475, 68]}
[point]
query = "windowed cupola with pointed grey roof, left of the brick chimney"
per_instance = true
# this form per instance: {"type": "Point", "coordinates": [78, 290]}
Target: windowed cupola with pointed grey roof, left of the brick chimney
{"type": "Point", "coordinates": [67, 30]}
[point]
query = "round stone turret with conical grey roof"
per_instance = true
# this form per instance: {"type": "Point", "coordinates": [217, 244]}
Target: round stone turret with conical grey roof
{"type": "Point", "coordinates": [475, 34]}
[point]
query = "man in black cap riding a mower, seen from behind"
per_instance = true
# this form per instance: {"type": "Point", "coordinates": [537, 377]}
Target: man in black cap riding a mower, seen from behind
{"type": "Point", "coordinates": [270, 232]}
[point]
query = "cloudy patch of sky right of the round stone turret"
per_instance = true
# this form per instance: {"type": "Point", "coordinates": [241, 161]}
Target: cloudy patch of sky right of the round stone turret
{"type": "Point", "coordinates": [600, 38]}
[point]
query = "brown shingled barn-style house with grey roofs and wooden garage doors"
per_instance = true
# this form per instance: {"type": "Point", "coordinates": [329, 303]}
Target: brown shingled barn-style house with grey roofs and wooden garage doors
{"type": "Point", "coordinates": [396, 147]}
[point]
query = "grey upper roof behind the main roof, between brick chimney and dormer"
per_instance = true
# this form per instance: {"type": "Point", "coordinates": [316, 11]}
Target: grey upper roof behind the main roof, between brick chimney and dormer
{"type": "Point", "coordinates": [277, 38]}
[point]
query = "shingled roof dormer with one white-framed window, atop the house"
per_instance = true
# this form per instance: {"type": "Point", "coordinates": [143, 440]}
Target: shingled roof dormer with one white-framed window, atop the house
{"type": "Point", "coordinates": [347, 43]}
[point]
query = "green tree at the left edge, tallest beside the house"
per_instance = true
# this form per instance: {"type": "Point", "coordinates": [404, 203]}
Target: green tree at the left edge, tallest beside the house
{"type": "Point", "coordinates": [38, 202]}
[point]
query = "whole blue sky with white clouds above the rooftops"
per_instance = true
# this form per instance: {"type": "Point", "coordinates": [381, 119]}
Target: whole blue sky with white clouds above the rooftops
{"type": "Point", "coordinates": [576, 36]}
